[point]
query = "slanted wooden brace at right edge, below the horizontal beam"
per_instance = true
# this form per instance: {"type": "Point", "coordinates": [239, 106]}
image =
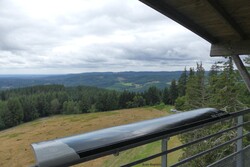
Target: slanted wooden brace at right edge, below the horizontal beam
{"type": "Point", "coordinates": [243, 71]}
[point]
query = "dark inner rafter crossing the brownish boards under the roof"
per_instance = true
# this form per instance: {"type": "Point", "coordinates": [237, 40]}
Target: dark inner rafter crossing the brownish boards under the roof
{"type": "Point", "coordinates": [221, 11]}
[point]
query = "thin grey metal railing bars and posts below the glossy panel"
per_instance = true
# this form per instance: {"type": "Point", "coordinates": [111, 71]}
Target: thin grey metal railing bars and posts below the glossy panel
{"type": "Point", "coordinates": [237, 161]}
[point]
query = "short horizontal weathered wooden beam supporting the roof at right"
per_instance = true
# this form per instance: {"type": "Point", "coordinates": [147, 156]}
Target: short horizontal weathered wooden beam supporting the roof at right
{"type": "Point", "coordinates": [230, 48]}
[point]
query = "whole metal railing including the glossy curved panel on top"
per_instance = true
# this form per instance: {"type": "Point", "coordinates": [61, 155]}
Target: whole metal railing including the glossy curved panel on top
{"type": "Point", "coordinates": [85, 147]}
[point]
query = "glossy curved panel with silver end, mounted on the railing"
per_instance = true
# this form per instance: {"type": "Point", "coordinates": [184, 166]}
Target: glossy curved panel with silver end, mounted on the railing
{"type": "Point", "coordinates": [108, 141]}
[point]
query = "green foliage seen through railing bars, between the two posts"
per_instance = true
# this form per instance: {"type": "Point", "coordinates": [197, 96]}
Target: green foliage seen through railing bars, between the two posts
{"type": "Point", "coordinates": [213, 156]}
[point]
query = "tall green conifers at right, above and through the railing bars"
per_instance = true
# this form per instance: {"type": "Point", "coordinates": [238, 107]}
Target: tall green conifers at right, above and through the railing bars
{"type": "Point", "coordinates": [222, 89]}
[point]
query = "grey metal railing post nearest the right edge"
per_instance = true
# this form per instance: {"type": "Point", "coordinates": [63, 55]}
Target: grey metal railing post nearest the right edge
{"type": "Point", "coordinates": [239, 158]}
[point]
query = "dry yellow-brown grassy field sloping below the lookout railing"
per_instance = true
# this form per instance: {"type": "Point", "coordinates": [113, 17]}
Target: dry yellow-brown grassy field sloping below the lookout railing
{"type": "Point", "coordinates": [15, 142]}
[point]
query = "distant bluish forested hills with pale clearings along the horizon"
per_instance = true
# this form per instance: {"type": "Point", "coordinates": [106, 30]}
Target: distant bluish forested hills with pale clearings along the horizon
{"type": "Point", "coordinates": [133, 81]}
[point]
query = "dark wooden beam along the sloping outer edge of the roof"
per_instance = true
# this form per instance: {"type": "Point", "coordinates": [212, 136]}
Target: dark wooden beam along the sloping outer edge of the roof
{"type": "Point", "coordinates": [164, 8]}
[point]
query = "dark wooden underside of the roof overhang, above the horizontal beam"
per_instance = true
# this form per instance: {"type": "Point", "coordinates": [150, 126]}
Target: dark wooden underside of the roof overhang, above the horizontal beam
{"type": "Point", "coordinates": [214, 20]}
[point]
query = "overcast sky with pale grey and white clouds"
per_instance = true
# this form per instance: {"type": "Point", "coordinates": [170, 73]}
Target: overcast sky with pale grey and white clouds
{"type": "Point", "coordinates": [74, 36]}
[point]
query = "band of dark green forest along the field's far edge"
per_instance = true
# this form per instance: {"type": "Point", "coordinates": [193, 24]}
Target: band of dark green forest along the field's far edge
{"type": "Point", "coordinates": [42, 101]}
